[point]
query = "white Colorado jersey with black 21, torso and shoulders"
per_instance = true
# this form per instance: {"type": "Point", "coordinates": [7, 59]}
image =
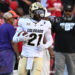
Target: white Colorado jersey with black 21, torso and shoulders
{"type": "Point", "coordinates": [36, 32]}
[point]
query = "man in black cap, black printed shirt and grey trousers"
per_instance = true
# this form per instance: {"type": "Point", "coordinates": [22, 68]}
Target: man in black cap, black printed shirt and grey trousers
{"type": "Point", "coordinates": [65, 42]}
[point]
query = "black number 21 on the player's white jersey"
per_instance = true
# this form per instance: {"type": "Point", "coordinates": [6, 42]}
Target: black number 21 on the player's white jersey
{"type": "Point", "coordinates": [34, 36]}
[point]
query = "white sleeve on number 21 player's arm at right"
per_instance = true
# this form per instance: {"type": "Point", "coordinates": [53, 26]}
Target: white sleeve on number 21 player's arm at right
{"type": "Point", "coordinates": [48, 38]}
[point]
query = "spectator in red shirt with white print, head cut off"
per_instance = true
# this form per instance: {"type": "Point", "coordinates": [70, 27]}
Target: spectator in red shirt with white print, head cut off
{"type": "Point", "coordinates": [55, 7]}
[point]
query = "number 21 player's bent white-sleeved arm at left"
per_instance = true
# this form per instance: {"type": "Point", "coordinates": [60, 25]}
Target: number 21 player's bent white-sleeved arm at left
{"type": "Point", "coordinates": [20, 35]}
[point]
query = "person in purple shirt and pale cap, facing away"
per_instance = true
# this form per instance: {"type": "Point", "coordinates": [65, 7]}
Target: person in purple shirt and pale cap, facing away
{"type": "Point", "coordinates": [7, 47]}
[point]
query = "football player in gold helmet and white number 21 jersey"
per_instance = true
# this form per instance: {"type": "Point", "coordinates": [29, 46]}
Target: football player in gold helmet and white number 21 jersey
{"type": "Point", "coordinates": [32, 31]}
